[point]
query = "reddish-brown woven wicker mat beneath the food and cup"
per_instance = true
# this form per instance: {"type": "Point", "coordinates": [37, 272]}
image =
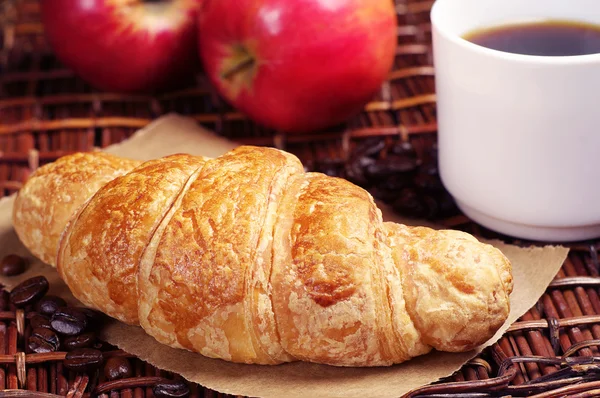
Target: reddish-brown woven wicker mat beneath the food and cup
{"type": "Point", "coordinates": [47, 112]}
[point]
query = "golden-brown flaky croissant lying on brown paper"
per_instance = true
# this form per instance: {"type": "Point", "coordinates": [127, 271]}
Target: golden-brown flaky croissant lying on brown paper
{"type": "Point", "coordinates": [248, 258]}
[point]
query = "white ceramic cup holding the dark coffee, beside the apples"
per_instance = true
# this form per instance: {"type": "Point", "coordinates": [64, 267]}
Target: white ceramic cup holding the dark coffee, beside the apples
{"type": "Point", "coordinates": [519, 135]}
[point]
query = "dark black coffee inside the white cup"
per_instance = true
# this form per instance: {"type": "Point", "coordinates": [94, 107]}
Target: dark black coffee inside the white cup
{"type": "Point", "coordinates": [547, 38]}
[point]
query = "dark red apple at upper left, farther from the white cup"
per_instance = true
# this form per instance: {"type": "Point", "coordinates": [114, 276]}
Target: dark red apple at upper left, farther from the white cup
{"type": "Point", "coordinates": [125, 45]}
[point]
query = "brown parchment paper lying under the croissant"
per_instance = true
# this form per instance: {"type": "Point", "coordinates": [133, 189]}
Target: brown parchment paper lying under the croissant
{"type": "Point", "coordinates": [533, 270]}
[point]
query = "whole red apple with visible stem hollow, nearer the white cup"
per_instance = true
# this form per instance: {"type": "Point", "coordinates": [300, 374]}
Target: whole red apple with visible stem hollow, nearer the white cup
{"type": "Point", "coordinates": [297, 65]}
